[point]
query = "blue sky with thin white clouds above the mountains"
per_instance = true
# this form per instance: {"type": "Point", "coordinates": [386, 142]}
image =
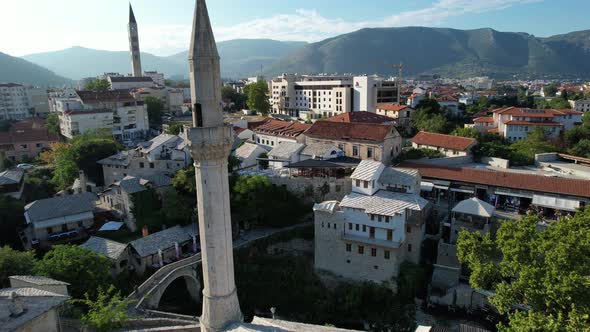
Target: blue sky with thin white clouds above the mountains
{"type": "Point", "coordinates": [33, 26]}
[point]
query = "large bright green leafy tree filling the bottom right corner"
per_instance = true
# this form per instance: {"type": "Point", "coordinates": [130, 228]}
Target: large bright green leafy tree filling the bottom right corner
{"type": "Point", "coordinates": [545, 270]}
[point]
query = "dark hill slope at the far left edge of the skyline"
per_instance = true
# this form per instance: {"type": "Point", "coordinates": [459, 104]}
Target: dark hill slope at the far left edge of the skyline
{"type": "Point", "coordinates": [17, 70]}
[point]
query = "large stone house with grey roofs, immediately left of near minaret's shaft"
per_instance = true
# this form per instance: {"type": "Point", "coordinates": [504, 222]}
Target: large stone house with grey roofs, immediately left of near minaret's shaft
{"type": "Point", "coordinates": [162, 155]}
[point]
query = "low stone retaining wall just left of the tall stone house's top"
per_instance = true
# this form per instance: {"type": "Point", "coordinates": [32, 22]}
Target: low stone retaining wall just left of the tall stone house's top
{"type": "Point", "coordinates": [338, 187]}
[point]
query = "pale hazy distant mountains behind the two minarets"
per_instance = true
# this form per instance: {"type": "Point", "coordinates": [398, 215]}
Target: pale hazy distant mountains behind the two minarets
{"type": "Point", "coordinates": [238, 58]}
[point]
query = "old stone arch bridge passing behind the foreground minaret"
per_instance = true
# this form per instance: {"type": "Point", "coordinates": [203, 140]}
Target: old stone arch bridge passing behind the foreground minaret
{"type": "Point", "coordinates": [148, 294]}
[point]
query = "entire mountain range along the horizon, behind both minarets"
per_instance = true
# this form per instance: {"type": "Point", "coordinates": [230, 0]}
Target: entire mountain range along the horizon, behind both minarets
{"type": "Point", "coordinates": [448, 52]}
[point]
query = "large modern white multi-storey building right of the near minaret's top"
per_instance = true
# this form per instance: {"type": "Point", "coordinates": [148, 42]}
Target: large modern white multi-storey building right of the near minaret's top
{"type": "Point", "coordinates": [315, 97]}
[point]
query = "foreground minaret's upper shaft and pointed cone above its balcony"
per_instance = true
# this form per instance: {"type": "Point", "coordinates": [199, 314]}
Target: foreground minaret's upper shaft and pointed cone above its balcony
{"type": "Point", "coordinates": [205, 74]}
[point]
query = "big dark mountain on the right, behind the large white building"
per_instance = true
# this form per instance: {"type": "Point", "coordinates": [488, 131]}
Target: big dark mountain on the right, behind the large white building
{"type": "Point", "coordinates": [449, 52]}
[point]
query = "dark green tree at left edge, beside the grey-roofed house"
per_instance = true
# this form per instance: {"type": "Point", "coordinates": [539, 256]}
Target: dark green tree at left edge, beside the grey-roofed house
{"type": "Point", "coordinates": [11, 217]}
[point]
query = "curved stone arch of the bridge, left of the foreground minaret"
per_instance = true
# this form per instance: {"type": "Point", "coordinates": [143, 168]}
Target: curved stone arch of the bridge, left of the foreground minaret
{"type": "Point", "coordinates": [192, 282]}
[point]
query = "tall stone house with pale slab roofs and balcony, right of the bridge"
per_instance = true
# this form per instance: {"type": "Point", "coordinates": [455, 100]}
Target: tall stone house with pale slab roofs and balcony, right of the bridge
{"type": "Point", "coordinates": [373, 230]}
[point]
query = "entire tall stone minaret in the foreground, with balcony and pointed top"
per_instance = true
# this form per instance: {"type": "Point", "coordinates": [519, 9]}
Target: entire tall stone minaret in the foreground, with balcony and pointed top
{"type": "Point", "coordinates": [210, 142]}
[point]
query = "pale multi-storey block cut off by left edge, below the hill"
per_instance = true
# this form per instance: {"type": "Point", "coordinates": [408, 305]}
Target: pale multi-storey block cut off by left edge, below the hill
{"type": "Point", "coordinates": [15, 102]}
